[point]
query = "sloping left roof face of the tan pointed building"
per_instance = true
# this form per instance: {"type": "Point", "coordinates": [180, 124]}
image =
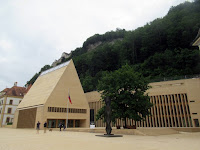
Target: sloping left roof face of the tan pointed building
{"type": "Point", "coordinates": [43, 86]}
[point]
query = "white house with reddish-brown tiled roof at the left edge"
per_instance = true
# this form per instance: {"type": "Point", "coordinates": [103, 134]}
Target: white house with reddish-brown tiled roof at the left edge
{"type": "Point", "coordinates": [9, 100]}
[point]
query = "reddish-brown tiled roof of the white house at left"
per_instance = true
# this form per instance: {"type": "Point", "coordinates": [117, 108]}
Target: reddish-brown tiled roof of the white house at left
{"type": "Point", "coordinates": [15, 91]}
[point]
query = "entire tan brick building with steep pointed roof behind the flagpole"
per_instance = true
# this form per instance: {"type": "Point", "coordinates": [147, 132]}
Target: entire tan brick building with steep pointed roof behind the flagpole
{"type": "Point", "coordinates": [47, 100]}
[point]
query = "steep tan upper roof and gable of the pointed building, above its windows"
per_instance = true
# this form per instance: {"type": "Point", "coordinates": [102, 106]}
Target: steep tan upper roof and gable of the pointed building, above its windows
{"type": "Point", "coordinates": [52, 88]}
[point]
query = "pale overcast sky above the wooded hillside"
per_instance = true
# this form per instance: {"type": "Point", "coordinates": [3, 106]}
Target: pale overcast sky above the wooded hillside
{"type": "Point", "coordinates": [34, 33]}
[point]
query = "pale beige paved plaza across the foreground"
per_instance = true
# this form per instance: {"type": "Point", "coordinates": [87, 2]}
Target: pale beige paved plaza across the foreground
{"type": "Point", "coordinates": [27, 139]}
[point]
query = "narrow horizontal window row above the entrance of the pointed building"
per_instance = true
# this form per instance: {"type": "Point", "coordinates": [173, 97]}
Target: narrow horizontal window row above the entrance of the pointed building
{"type": "Point", "coordinates": [64, 110]}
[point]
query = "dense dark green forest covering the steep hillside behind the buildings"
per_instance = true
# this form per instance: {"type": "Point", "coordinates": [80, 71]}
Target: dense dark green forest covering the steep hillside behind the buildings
{"type": "Point", "coordinates": [160, 49]}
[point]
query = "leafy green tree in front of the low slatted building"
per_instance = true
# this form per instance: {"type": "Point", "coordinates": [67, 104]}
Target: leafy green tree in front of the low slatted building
{"type": "Point", "coordinates": [126, 90]}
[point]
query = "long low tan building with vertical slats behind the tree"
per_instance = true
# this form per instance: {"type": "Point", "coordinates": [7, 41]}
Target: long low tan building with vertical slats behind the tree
{"type": "Point", "coordinates": [175, 104]}
